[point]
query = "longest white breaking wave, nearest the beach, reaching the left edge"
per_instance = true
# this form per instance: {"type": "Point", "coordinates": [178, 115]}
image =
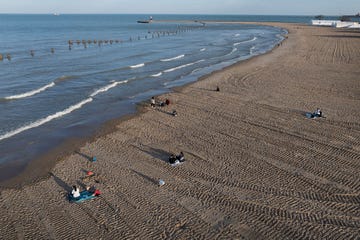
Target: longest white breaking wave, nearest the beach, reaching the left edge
{"type": "Point", "coordinates": [46, 119]}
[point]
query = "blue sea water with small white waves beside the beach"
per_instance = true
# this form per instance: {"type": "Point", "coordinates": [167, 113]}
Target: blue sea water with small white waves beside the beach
{"type": "Point", "coordinates": [67, 75]}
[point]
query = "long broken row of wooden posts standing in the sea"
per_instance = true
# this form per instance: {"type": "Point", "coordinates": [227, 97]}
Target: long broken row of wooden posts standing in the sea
{"type": "Point", "coordinates": [100, 42]}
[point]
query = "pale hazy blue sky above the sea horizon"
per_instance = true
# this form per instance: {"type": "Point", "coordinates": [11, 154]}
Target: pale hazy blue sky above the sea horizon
{"type": "Point", "coordinates": [261, 7]}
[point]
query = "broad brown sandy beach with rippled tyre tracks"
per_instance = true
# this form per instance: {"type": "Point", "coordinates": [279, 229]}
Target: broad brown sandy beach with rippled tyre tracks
{"type": "Point", "coordinates": [256, 167]}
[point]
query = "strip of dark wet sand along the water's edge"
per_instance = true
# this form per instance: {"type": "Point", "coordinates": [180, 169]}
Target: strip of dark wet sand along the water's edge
{"type": "Point", "coordinates": [38, 169]}
